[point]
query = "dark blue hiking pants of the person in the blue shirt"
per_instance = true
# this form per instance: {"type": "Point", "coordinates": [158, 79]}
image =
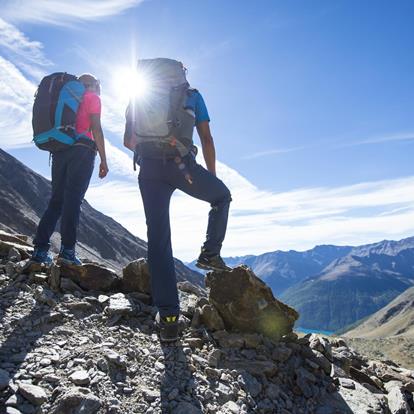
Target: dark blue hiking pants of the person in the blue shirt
{"type": "Point", "coordinates": [157, 181]}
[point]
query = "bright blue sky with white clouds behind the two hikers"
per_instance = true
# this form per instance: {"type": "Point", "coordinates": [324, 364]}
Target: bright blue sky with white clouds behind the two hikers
{"type": "Point", "coordinates": [310, 102]}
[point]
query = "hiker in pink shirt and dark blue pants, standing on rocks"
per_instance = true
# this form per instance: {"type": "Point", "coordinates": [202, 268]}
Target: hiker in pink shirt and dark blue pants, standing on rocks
{"type": "Point", "coordinates": [72, 168]}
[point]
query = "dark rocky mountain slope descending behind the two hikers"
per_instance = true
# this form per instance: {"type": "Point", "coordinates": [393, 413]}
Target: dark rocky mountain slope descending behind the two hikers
{"type": "Point", "coordinates": [24, 195]}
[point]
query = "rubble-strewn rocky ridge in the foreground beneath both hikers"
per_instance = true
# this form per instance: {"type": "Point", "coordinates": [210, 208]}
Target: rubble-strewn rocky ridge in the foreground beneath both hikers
{"type": "Point", "coordinates": [67, 347]}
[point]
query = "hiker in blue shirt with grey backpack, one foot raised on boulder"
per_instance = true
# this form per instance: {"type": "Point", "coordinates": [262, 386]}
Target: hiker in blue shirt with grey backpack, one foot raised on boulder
{"type": "Point", "coordinates": [159, 129]}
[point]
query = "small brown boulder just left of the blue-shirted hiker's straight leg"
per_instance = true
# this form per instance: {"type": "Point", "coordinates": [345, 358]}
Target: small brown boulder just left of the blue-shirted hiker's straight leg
{"type": "Point", "coordinates": [136, 277]}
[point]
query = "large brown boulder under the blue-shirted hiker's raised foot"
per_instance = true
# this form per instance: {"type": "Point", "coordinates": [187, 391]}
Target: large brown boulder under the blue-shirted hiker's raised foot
{"type": "Point", "coordinates": [247, 304]}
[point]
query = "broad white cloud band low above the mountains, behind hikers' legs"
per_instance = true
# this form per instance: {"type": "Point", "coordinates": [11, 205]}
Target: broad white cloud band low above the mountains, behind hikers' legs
{"type": "Point", "coordinates": [263, 221]}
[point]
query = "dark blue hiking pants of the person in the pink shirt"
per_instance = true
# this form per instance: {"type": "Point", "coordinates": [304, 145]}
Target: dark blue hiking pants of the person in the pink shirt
{"type": "Point", "coordinates": [71, 172]}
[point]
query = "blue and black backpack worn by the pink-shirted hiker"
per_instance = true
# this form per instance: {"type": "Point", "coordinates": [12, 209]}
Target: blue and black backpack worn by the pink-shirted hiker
{"type": "Point", "coordinates": [54, 111]}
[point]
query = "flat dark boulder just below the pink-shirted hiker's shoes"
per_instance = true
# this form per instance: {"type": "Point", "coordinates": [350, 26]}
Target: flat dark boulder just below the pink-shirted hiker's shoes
{"type": "Point", "coordinates": [91, 276]}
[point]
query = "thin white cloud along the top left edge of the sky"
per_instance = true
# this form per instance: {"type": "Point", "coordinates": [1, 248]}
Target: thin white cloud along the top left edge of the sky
{"type": "Point", "coordinates": [61, 12]}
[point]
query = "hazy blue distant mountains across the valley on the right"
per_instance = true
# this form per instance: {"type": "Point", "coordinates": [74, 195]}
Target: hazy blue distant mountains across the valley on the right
{"type": "Point", "coordinates": [335, 286]}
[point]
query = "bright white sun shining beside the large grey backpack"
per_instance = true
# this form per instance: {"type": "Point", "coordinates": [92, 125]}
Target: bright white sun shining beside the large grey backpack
{"type": "Point", "coordinates": [130, 84]}
